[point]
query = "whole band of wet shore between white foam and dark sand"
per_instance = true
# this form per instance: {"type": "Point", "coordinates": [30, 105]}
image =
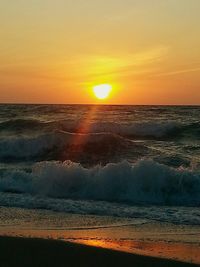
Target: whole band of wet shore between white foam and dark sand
{"type": "Point", "coordinates": [150, 239]}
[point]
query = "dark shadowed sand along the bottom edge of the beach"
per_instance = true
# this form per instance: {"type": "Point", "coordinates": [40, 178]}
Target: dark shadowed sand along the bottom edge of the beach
{"type": "Point", "coordinates": [15, 251]}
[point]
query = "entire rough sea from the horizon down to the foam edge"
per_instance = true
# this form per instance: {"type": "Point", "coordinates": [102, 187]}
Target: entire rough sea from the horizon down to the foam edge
{"type": "Point", "coordinates": [139, 162]}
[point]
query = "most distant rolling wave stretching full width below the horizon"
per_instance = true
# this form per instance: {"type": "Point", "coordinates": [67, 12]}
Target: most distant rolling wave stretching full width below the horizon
{"type": "Point", "coordinates": [154, 130]}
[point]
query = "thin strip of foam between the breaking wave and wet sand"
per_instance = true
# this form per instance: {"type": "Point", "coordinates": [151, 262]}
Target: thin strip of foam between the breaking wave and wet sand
{"type": "Point", "coordinates": [177, 215]}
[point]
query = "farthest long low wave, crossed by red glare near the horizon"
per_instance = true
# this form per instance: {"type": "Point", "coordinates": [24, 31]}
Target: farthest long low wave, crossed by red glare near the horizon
{"type": "Point", "coordinates": [155, 129]}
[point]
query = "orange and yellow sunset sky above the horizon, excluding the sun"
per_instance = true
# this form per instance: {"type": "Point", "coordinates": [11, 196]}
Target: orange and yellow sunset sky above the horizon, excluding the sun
{"type": "Point", "coordinates": [56, 51]}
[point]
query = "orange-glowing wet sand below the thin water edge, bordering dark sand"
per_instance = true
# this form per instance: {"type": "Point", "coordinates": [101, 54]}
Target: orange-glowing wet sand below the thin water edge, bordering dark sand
{"type": "Point", "coordinates": [147, 240]}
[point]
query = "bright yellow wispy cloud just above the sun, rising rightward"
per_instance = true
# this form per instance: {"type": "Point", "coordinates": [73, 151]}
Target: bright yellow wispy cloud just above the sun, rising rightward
{"type": "Point", "coordinates": [120, 65]}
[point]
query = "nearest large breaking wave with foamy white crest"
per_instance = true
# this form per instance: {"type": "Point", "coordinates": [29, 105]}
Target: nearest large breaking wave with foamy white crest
{"type": "Point", "coordinates": [145, 182]}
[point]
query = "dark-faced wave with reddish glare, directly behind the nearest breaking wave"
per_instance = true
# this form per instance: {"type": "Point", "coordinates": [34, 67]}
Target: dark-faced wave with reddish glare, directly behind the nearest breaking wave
{"type": "Point", "coordinates": [62, 145]}
